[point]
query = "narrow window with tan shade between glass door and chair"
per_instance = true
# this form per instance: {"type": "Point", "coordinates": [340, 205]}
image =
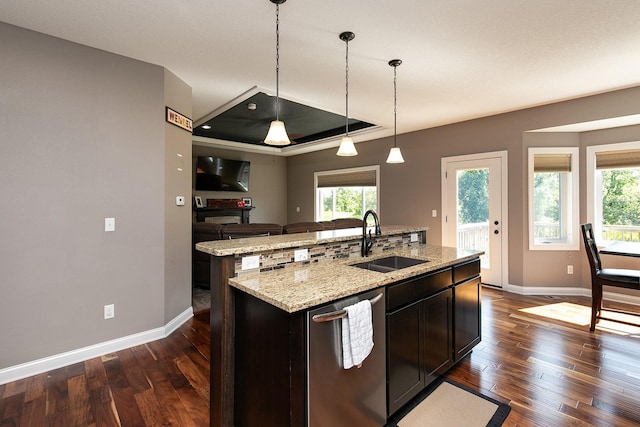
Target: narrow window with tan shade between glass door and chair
{"type": "Point", "coordinates": [553, 199]}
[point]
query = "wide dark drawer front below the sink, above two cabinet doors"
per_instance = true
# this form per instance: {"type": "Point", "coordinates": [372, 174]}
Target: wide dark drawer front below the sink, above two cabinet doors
{"type": "Point", "coordinates": [414, 289]}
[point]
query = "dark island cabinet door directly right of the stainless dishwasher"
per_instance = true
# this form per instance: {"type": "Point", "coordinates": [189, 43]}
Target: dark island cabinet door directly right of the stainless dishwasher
{"type": "Point", "coordinates": [405, 374]}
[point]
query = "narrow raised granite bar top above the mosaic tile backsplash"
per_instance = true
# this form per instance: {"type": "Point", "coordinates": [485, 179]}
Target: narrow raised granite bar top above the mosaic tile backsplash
{"type": "Point", "coordinates": [286, 241]}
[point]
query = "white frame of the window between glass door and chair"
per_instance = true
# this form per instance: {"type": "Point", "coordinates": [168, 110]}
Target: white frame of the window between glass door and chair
{"type": "Point", "coordinates": [570, 201]}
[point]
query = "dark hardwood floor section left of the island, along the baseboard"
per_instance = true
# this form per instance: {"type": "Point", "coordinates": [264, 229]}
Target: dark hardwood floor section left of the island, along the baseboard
{"type": "Point", "coordinates": [162, 383]}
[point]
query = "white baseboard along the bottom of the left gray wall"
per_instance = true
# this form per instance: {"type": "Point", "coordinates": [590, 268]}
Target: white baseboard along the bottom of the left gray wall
{"type": "Point", "coordinates": [24, 370]}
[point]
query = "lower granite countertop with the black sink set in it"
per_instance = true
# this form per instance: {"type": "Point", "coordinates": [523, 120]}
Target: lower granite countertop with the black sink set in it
{"type": "Point", "coordinates": [301, 287]}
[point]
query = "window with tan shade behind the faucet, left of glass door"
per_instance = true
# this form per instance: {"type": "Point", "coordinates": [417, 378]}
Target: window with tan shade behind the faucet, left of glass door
{"type": "Point", "coordinates": [346, 193]}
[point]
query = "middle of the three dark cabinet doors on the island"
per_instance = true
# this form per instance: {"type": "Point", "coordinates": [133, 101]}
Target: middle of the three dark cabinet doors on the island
{"type": "Point", "coordinates": [437, 331]}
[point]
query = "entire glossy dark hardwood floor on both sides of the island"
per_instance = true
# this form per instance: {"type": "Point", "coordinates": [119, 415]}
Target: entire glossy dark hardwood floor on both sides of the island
{"type": "Point", "coordinates": [552, 372]}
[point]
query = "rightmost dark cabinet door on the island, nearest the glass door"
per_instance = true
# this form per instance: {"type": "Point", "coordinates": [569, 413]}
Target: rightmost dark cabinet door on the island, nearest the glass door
{"type": "Point", "coordinates": [466, 317]}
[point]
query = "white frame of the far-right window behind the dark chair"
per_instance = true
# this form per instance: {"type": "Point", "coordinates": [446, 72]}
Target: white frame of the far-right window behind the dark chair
{"type": "Point", "coordinates": [594, 206]}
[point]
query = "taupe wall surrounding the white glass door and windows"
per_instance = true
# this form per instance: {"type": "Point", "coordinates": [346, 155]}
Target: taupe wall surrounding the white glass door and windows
{"type": "Point", "coordinates": [409, 191]}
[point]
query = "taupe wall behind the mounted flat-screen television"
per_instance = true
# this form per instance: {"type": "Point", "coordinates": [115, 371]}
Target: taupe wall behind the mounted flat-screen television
{"type": "Point", "coordinates": [267, 183]}
